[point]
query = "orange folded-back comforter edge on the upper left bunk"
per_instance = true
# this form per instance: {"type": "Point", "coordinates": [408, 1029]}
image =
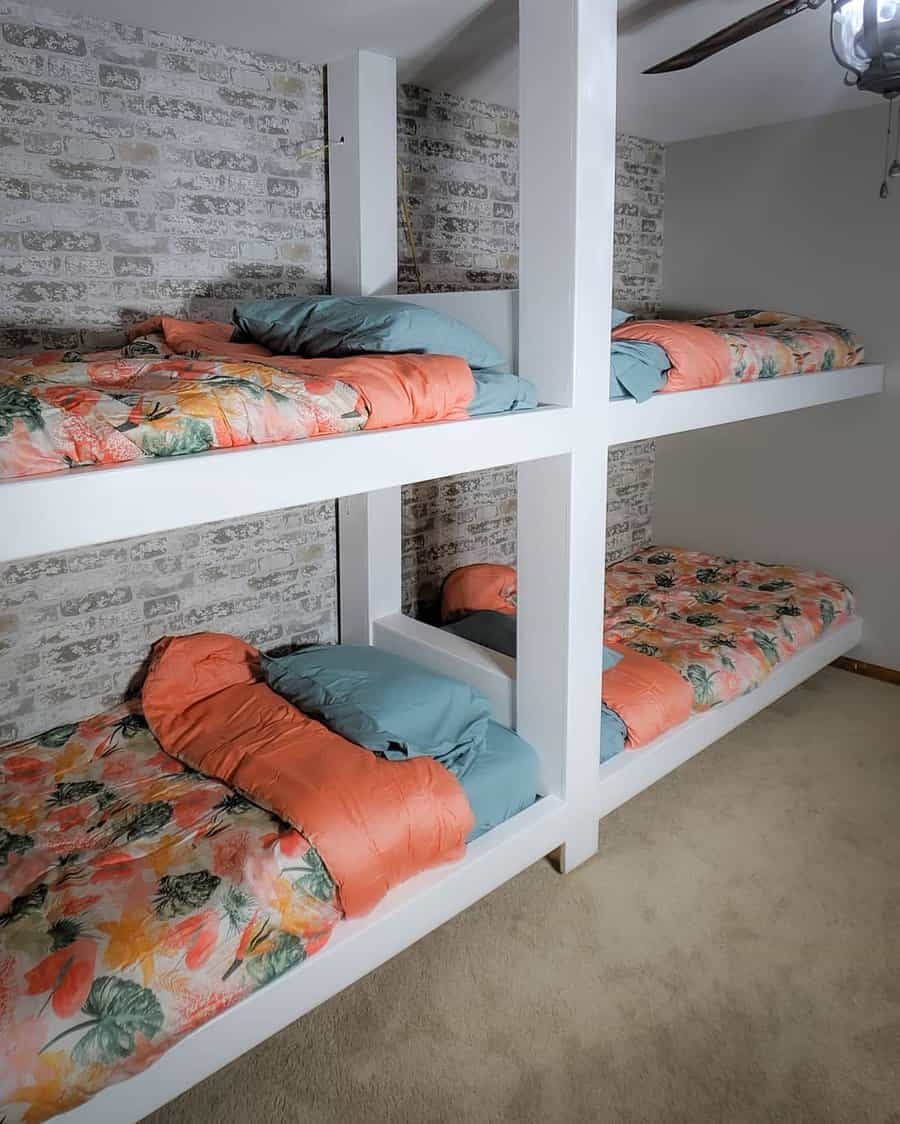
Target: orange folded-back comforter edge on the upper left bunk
{"type": "Point", "coordinates": [395, 389]}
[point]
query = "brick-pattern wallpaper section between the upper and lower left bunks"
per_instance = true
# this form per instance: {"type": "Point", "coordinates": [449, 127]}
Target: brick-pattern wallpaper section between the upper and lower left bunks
{"type": "Point", "coordinates": [76, 628]}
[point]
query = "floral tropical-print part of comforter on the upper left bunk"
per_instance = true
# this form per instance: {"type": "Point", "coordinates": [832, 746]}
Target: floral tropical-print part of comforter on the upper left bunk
{"type": "Point", "coordinates": [66, 410]}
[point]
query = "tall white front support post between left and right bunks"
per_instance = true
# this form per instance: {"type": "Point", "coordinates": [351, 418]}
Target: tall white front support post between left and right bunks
{"type": "Point", "coordinates": [568, 177]}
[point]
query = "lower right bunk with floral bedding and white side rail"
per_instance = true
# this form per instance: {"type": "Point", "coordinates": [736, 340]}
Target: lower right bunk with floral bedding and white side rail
{"type": "Point", "coordinates": [695, 645]}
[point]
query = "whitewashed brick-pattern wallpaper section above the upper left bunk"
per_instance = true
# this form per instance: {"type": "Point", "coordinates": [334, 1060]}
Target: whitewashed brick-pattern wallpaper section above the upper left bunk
{"type": "Point", "coordinates": [149, 171]}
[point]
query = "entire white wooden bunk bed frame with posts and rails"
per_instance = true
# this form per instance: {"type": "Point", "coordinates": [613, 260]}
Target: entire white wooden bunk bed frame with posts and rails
{"type": "Point", "coordinates": [568, 144]}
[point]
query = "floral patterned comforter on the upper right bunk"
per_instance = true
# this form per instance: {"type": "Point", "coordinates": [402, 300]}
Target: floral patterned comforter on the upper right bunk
{"type": "Point", "coordinates": [766, 346]}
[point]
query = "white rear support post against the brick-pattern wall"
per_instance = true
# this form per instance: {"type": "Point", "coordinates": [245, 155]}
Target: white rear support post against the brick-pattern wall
{"type": "Point", "coordinates": [362, 185]}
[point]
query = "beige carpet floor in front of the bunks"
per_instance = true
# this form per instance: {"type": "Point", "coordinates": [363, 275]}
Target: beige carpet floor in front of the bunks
{"type": "Point", "coordinates": [732, 956]}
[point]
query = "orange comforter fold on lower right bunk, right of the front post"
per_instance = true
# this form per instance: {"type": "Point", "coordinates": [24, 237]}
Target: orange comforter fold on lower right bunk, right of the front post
{"type": "Point", "coordinates": [649, 696]}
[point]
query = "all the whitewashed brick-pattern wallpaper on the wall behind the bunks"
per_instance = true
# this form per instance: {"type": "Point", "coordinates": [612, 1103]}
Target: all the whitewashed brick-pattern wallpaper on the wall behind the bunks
{"type": "Point", "coordinates": [143, 173]}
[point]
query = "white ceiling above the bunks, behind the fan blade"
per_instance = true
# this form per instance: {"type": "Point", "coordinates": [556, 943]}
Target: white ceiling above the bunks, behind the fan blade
{"type": "Point", "coordinates": [469, 47]}
